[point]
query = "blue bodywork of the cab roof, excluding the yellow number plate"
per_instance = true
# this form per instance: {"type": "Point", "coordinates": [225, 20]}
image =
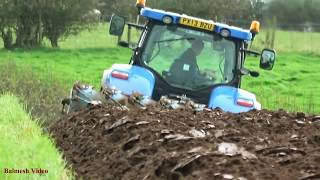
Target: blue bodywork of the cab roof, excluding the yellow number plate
{"type": "Point", "coordinates": [236, 32]}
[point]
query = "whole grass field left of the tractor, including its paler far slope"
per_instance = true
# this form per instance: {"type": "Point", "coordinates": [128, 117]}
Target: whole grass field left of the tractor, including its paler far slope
{"type": "Point", "coordinates": [82, 57]}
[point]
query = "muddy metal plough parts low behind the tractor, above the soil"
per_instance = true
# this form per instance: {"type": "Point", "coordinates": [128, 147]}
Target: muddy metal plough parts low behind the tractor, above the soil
{"type": "Point", "coordinates": [84, 96]}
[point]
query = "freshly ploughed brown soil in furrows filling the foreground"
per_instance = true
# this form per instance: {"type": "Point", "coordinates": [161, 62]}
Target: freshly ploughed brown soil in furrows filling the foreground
{"type": "Point", "coordinates": [105, 142]}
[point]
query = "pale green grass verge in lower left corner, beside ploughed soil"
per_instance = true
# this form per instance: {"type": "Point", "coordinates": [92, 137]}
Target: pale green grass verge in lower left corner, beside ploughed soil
{"type": "Point", "coordinates": [24, 145]}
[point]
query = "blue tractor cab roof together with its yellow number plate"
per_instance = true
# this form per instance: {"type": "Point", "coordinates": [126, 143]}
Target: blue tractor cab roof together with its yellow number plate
{"type": "Point", "coordinates": [158, 15]}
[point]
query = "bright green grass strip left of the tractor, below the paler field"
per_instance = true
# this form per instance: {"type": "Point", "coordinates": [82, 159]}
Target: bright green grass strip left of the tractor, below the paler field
{"type": "Point", "coordinates": [69, 65]}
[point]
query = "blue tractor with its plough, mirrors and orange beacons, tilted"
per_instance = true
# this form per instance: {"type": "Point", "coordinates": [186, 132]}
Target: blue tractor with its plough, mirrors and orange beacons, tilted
{"type": "Point", "coordinates": [179, 60]}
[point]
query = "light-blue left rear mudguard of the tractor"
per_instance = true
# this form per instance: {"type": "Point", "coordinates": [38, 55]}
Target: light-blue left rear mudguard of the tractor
{"type": "Point", "coordinates": [138, 80]}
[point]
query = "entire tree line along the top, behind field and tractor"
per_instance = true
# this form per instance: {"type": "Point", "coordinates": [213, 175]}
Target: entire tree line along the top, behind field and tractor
{"type": "Point", "coordinates": [25, 23]}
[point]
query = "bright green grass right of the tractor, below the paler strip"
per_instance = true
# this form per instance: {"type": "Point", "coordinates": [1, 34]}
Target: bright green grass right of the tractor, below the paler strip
{"type": "Point", "coordinates": [291, 85]}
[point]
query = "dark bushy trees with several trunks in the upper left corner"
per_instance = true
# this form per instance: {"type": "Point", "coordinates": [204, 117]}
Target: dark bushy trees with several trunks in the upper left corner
{"type": "Point", "coordinates": [32, 20]}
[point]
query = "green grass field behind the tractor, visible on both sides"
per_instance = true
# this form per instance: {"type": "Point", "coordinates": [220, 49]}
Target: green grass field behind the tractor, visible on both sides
{"type": "Point", "coordinates": [292, 84]}
